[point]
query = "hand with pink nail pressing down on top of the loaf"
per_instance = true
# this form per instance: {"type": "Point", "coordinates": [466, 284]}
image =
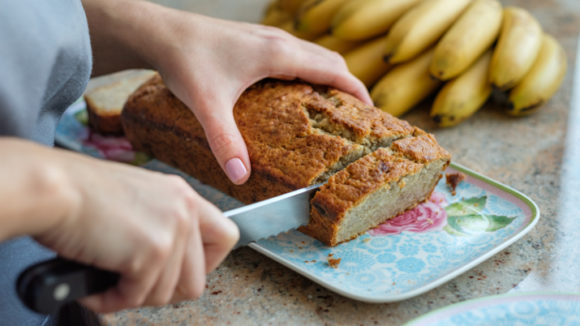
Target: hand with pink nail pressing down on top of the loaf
{"type": "Point", "coordinates": [208, 63]}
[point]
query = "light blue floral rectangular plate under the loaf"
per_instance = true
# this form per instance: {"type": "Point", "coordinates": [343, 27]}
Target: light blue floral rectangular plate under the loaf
{"type": "Point", "coordinates": [404, 257]}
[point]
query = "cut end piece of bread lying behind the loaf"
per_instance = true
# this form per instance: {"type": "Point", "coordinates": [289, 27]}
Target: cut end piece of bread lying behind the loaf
{"type": "Point", "coordinates": [104, 103]}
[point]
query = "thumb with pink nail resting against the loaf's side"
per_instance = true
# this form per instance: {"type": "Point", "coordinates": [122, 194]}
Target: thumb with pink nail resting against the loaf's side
{"type": "Point", "coordinates": [226, 142]}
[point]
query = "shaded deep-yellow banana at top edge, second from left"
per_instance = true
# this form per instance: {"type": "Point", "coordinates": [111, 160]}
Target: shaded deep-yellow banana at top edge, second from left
{"type": "Point", "coordinates": [314, 16]}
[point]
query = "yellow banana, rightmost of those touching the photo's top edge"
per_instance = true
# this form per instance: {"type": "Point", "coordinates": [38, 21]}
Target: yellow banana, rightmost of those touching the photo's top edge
{"type": "Point", "coordinates": [469, 37]}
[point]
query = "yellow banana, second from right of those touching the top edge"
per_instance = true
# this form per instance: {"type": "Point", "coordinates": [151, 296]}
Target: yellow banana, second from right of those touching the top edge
{"type": "Point", "coordinates": [421, 27]}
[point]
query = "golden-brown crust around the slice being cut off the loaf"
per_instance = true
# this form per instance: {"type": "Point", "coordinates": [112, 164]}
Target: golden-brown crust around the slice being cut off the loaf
{"type": "Point", "coordinates": [386, 167]}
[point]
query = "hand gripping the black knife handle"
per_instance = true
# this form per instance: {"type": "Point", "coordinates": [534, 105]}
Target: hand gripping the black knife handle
{"type": "Point", "coordinates": [152, 228]}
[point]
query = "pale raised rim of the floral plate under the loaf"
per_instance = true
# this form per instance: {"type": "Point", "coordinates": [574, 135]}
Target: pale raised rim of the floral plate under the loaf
{"type": "Point", "coordinates": [534, 218]}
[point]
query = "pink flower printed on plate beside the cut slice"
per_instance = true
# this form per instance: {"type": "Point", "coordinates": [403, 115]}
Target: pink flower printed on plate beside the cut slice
{"type": "Point", "coordinates": [427, 216]}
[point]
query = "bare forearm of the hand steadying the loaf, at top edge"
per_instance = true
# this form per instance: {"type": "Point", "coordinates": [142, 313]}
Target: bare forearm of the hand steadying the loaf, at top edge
{"type": "Point", "coordinates": [124, 33]}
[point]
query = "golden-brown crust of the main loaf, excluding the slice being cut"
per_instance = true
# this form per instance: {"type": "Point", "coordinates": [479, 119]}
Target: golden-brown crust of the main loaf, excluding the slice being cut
{"type": "Point", "coordinates": [287, 150]}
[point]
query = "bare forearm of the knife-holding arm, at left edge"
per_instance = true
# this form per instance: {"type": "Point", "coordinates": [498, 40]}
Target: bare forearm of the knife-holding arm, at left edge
{"type": "Point", "coordinates": [35, 193]}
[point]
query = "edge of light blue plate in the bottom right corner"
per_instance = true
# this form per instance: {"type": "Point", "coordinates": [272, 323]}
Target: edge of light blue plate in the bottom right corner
{"type": "Point", "coordinates": [528, 309]}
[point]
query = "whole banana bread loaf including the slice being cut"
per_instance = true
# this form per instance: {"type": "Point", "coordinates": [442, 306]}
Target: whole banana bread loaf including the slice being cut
{"type": "Point", "coordinates": [298, 135]}
